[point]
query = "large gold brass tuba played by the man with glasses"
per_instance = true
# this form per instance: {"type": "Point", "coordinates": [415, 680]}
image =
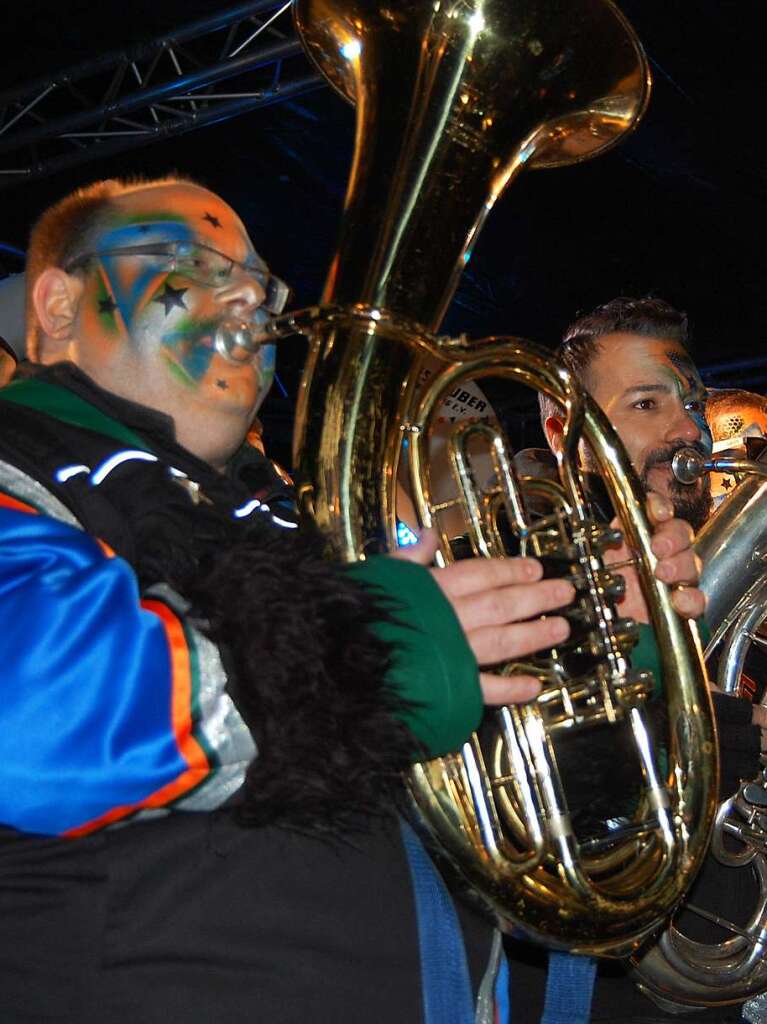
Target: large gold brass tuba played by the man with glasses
{"type": "Point", "coordinates": [454, 98]}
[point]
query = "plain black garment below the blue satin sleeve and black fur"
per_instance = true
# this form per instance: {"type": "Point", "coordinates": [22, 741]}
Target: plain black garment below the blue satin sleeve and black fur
{"type": "Point", "coordinates": [192, 918]}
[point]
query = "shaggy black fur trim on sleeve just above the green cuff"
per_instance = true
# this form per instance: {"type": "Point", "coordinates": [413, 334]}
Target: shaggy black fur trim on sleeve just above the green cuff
{"type": "Point", "coordinates": [312, 684]}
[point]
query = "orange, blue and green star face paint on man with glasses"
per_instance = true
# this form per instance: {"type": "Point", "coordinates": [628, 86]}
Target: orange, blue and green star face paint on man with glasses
{"type": "Point", "coordinates": [140, 316]}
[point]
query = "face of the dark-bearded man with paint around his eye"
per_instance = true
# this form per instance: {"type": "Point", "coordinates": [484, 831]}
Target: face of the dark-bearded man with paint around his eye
{"type": "Point", "coordinates": [654, 397]}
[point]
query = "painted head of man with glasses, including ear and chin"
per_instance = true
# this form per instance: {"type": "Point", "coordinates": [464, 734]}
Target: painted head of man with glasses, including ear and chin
{"type": "Point", "coordinates": [136, 304]}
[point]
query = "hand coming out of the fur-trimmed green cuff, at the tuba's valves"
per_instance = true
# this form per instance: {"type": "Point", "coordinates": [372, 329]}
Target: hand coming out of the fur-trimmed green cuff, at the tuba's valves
{"type": "Point", "coordinates": [500, 605]}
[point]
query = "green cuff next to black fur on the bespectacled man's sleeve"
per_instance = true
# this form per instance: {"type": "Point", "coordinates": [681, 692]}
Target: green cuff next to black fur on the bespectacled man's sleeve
{"type": "Point", "coordinates": [434, 669]}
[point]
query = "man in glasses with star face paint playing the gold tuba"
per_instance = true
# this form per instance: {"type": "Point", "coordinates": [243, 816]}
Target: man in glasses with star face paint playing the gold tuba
{"type": "Point", "coordinates": [204, 722]}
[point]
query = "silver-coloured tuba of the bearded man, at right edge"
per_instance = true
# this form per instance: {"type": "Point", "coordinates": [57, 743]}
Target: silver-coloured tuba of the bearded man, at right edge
{"type": "Point", "coordinates": [678, 971]}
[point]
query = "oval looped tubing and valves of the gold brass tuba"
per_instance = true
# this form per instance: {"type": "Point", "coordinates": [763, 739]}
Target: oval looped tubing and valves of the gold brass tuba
{"type": "Point", "coordinates": [499, 808]}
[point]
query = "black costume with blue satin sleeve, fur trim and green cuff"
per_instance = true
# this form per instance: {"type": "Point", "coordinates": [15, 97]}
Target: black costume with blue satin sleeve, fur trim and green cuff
{"type": "Point", "coordinates": [174, 645]}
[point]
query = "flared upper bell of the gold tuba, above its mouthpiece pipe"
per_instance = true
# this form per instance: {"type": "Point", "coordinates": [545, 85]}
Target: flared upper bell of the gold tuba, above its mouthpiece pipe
{"type": "Point", "coordinates": [454, 99]}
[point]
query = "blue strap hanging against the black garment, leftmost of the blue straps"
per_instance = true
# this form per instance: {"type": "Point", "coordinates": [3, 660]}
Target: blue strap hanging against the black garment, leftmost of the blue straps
{"type": "Point", "coordinates": [445, 973]}
